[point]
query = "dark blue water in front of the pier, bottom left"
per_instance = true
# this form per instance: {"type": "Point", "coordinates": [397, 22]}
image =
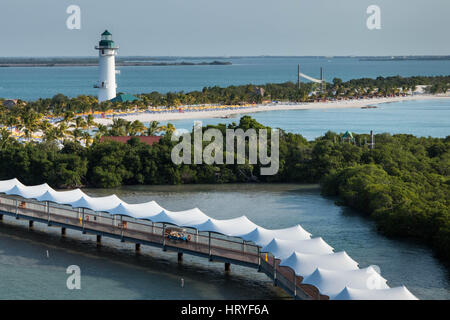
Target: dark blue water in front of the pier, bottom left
{"type": "Point", "coordinates": [113, 270]}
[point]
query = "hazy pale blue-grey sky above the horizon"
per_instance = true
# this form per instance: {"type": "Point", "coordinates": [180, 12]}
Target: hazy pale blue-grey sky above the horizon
{"type": "Point", "coordinates": [226, 28]}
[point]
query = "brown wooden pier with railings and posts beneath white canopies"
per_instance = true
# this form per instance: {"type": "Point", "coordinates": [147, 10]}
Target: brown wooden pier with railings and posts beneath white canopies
{"type": "Point", "coordinates": [214, 247]}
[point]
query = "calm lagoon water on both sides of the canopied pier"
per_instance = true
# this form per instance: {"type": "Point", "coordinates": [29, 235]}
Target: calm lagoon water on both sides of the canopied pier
{"type": "Point", "coordinates": [114, 271]}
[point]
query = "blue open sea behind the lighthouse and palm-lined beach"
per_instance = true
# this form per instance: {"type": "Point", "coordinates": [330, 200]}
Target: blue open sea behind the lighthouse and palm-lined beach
{"type": "Point", "coordinates": [43, 82]}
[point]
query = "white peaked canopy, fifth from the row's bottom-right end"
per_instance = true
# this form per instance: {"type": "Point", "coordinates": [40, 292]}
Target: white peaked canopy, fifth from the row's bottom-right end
{"type": "Point", "coordinates": [262, 236]}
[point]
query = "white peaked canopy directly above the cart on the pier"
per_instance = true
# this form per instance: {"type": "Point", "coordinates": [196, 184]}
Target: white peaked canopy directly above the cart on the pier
{"type": "Point", "coordinates": [181, 218]}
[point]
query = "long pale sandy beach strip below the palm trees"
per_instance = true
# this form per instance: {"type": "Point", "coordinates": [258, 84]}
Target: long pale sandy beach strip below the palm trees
{"type": "Point", "coordinates": [147, 117]}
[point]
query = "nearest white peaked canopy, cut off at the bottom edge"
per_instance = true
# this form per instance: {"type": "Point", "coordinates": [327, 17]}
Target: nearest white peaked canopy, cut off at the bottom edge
{"type": "Point", "coordinates": [397, 293]}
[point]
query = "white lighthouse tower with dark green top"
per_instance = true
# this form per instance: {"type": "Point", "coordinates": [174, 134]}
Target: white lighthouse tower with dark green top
{"type": "Point", "coordinates": [107, 67]}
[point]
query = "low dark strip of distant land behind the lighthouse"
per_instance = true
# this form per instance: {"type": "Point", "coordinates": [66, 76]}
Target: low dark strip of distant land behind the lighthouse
{"type": "Point", "coordinates": [91, 61]}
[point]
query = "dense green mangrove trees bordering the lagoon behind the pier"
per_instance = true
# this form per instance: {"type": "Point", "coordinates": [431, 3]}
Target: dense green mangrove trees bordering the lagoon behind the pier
{"type": "Point", "coordinates": [403, 183]}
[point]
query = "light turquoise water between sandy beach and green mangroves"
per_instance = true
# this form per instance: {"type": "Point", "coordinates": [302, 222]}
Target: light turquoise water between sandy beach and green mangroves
{"type": "Point", "coordinates": [421, 118]}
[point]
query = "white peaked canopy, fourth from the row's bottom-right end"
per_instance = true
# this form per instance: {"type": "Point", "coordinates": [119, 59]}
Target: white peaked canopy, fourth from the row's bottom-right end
{"type": "Point", "coordinates": [282, 249]}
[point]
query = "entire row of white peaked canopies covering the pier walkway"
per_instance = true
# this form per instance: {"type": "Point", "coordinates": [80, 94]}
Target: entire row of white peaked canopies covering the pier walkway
{"type": "Point", "coordinates": [334, 273]}
